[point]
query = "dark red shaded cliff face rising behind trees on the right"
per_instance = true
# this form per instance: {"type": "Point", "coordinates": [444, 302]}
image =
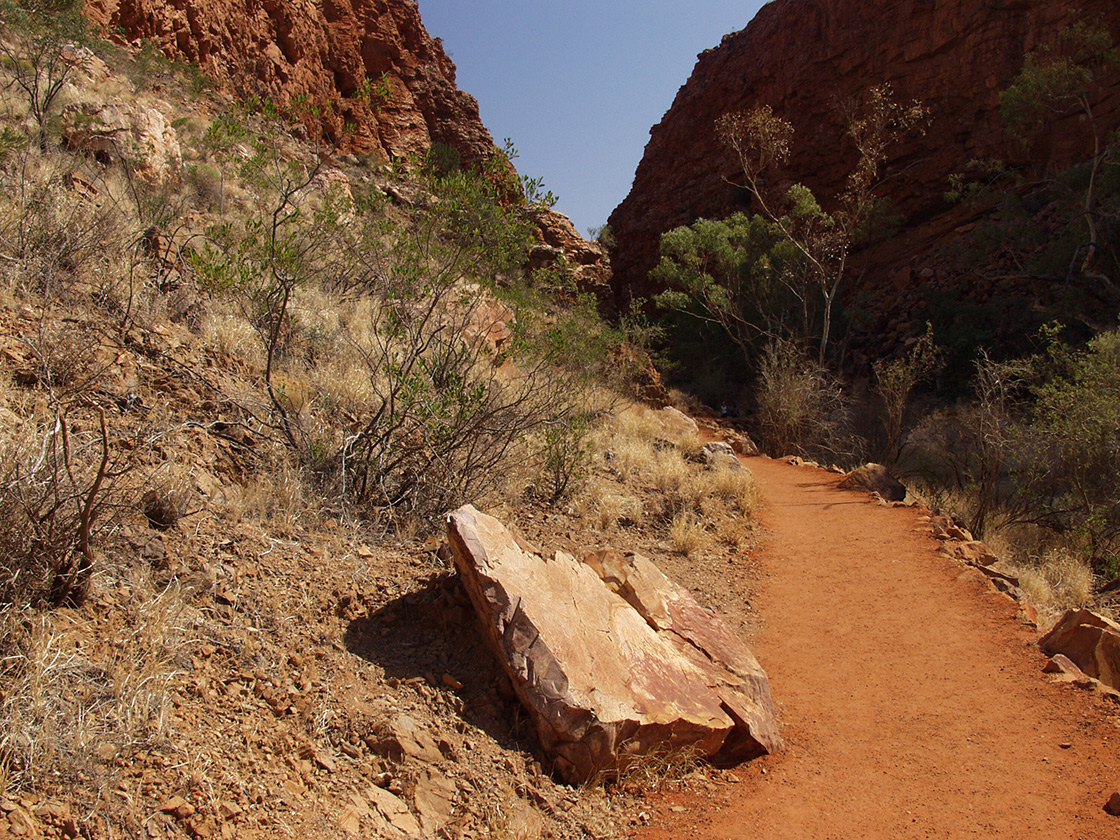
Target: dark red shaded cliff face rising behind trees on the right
{"type": "Point", "coordinates": [806, 57]}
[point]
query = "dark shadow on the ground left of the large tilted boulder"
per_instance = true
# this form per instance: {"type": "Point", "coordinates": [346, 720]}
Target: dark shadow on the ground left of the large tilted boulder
{"type": "Point", "coordinates": [433, 637]}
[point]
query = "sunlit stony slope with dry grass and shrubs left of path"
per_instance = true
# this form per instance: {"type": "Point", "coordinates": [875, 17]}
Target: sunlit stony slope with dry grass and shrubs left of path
{"type": "Point", "coordinates": [241, 381]}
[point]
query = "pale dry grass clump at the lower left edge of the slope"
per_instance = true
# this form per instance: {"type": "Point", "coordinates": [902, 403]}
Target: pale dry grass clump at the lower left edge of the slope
{"type": "Point", "coordinates": [77, 696]}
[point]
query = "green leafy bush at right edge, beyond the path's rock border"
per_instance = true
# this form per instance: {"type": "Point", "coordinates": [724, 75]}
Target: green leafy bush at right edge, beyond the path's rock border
{"type": "Point", "coordinates": [1038, 444]}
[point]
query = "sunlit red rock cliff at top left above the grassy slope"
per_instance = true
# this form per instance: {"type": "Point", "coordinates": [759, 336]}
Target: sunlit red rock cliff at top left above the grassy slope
{"type": "Point", "coordinates": [325, 51]}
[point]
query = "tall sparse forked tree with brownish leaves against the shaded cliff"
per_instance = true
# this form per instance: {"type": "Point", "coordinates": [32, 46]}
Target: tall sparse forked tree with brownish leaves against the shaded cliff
{"type": "Point", "coordinates": [762, 141]}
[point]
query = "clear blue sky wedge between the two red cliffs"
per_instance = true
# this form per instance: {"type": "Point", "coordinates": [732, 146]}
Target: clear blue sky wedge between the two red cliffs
{"type": "Point", "coordinates": [577, 85]}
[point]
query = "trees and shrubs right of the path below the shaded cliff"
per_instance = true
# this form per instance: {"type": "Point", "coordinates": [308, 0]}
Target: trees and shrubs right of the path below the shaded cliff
{"type": "Point", "coordinates": [1016, 431]}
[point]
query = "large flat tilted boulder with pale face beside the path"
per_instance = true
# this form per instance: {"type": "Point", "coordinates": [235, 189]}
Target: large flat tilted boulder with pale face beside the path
{"type": "Point", "coordinates": [611, 659]}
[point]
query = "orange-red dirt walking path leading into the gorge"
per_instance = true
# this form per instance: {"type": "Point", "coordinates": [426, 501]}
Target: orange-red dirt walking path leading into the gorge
{"type": "Point", "coordinates": [912, 699]}
